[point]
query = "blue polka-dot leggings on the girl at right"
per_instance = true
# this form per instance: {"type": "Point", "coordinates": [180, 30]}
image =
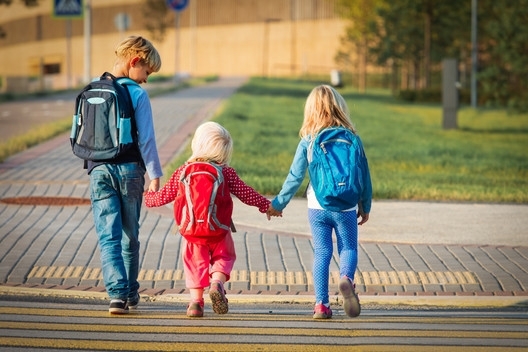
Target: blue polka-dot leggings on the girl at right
{"type": "Point", "coordinates": [322, 222]}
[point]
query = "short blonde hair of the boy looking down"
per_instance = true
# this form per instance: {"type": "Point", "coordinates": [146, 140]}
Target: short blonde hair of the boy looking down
{"type": "Point", "coordinates": [142, 48]}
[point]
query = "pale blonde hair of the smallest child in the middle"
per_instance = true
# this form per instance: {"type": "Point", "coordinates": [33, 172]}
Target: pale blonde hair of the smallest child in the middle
{"type": "Point", "coordinates": [213, 143]}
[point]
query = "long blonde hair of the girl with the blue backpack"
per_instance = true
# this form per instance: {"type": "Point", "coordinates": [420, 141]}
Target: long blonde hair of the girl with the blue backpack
{"type": "Point", "coordinates": [324, 107]}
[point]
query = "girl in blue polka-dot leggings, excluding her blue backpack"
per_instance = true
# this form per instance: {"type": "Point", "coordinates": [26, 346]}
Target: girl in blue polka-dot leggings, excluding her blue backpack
{"type": "Point", "coordinates": [325, 108]}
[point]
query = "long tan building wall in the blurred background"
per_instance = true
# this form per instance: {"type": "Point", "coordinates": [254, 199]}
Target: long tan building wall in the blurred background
{"type": "Point", "coordinates": [209, 37]}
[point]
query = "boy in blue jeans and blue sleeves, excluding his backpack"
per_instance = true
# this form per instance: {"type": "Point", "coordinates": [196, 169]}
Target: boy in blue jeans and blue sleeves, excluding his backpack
{"type": "Point", "coordinates": [117, 185]}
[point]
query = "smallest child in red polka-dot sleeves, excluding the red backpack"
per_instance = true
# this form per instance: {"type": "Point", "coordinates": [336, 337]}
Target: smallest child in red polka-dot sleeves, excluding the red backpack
{"type": "Point", "coordinates": [210, 262]}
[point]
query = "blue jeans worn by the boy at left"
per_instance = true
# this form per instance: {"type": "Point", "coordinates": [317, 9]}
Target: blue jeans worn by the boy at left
{"type": "Point", "coordinates": [116, 192]}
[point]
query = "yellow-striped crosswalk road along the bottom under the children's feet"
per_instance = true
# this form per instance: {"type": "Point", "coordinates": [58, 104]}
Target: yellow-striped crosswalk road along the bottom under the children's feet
{"type": "Point", "coordinates": [61, 324]}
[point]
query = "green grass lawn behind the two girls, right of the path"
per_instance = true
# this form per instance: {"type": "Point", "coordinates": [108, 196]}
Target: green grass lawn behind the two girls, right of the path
{"type": "Point", "coordinates": [411, 156]}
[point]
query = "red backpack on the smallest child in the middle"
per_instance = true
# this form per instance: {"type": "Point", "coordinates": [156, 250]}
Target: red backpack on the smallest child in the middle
{"type": "Point", "coordinates": [203, 207]}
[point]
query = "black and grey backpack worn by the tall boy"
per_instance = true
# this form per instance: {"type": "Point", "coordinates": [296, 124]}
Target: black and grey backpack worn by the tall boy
{"type": "Point", "coordinates": [103, 126]}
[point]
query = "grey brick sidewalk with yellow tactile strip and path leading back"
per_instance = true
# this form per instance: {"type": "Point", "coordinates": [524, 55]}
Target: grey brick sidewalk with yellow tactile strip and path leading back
{"type": "Point", "coordinates": [410, 253]}
